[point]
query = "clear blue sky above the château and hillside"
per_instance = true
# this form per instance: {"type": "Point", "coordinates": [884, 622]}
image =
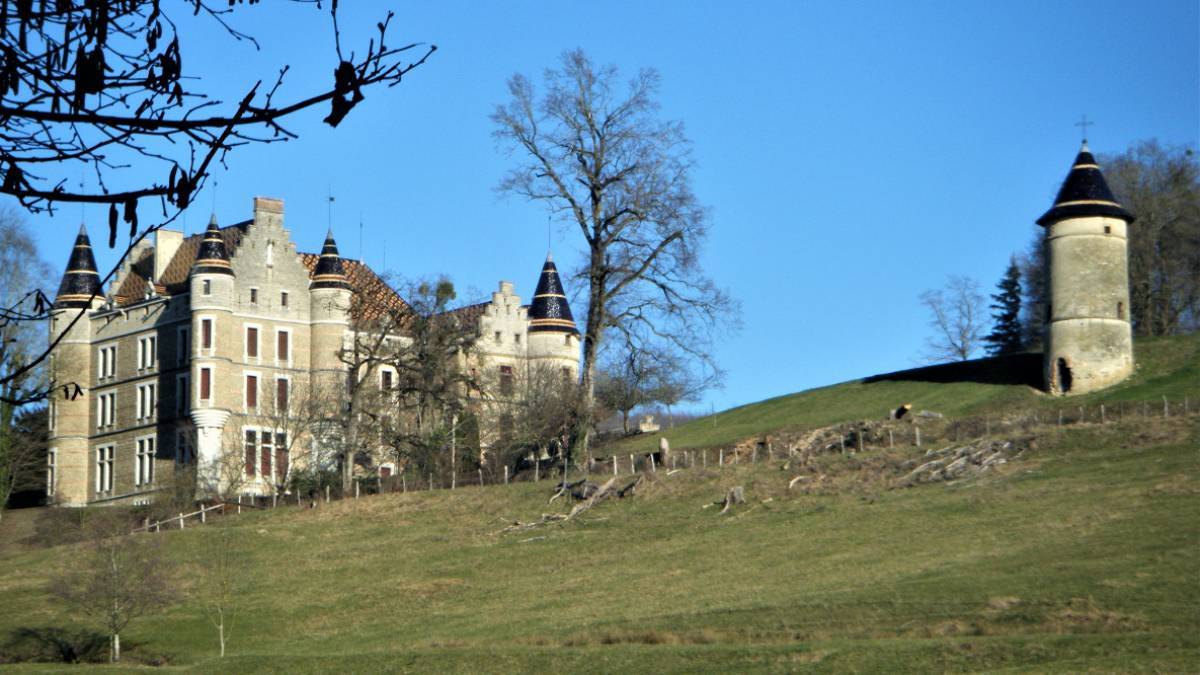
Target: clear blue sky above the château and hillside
{"type": "Point", "coordinates": [854, 154]}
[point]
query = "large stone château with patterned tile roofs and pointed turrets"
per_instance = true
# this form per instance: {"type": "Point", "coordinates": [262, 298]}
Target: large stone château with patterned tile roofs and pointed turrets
{"type": "Point", "coordinates": [201, 341]}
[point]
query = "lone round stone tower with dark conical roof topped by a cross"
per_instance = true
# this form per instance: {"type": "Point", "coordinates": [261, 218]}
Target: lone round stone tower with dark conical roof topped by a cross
{"type": "Point", "coordinates": [1089, 341]}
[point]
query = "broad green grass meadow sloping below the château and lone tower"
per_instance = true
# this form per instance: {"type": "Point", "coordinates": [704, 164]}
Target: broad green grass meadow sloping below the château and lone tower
{"type": "Point", "coordinates": [1081, 557]}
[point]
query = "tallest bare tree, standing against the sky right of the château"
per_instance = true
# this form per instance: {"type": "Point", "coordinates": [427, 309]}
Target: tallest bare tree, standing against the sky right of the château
{"type": "Point", "coordinates": [597, 154]}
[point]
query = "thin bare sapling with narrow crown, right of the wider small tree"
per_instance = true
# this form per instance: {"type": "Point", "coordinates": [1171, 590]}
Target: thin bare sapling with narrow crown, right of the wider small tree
{"type": "Point", "coordinates": [225, 578]}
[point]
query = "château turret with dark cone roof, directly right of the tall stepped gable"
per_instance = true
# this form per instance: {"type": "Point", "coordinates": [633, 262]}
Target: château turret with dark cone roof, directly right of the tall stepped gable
{"type": "Point", "coordinates": [329, 296]}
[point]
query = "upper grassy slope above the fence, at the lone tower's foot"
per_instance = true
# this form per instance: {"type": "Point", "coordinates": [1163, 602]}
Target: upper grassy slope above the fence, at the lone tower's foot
{"type": "Point", "coordinates": [1166, 367]}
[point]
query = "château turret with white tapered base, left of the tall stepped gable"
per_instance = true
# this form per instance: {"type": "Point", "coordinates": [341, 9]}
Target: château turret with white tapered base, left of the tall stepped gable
{"type": "Point", "coordinates": [215, 343]}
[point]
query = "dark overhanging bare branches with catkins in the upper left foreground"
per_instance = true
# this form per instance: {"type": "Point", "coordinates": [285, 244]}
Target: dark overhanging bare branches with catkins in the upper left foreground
{"type": "Point", "coordinates": [101, 88]}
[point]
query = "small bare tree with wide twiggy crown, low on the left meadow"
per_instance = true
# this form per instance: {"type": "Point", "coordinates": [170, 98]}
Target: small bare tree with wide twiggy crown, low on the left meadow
{"type": "Point", "coordinates": [124, 577]}
